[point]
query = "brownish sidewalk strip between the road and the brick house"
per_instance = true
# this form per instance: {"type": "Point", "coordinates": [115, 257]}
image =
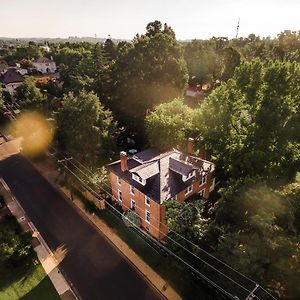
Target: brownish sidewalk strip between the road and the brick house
{"type": "Point", "coordinates": [47, 169]}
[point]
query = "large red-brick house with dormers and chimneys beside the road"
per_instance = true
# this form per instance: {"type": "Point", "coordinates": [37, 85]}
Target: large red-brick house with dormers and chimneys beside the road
{"type": "Point", "coordinates": [143, 182]}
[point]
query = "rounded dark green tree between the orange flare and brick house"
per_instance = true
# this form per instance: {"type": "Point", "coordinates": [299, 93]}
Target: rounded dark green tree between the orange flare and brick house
{"type": "Point", "coordinates": [85, 130]}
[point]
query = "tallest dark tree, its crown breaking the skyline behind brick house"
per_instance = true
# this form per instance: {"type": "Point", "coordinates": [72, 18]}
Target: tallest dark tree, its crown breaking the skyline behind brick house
{"type": "Point", "coordinates": [147, 72]}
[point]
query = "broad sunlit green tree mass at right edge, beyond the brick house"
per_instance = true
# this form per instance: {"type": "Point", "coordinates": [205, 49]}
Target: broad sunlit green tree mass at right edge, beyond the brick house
{"type": "Point", "coordinates": [250, 125]}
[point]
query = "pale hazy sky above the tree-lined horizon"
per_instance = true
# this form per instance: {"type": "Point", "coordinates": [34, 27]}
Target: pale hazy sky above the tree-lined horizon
{"type": "Point", "coordinates": [124, 18]}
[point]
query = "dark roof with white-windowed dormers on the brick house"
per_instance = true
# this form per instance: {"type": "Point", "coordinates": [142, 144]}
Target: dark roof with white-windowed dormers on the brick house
{"type": "Point", "coordinates": [162, 172]}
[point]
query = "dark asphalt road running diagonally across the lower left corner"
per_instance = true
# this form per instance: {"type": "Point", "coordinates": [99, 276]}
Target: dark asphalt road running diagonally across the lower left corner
{"type": "Point", "coordinates": [94, 266]}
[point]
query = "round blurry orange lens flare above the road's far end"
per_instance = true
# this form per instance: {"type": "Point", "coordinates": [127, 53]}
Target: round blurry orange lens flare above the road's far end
{"type": "Point", "coordinates": [35, 131]}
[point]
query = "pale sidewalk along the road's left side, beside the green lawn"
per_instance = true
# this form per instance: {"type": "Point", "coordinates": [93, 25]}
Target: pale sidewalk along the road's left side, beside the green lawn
{"type": "Point", "coordinates": [43, 252]}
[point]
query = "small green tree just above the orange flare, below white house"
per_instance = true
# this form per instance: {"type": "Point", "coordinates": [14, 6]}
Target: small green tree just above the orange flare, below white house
{"type": "Point", "coordinates": [29, 96]}
